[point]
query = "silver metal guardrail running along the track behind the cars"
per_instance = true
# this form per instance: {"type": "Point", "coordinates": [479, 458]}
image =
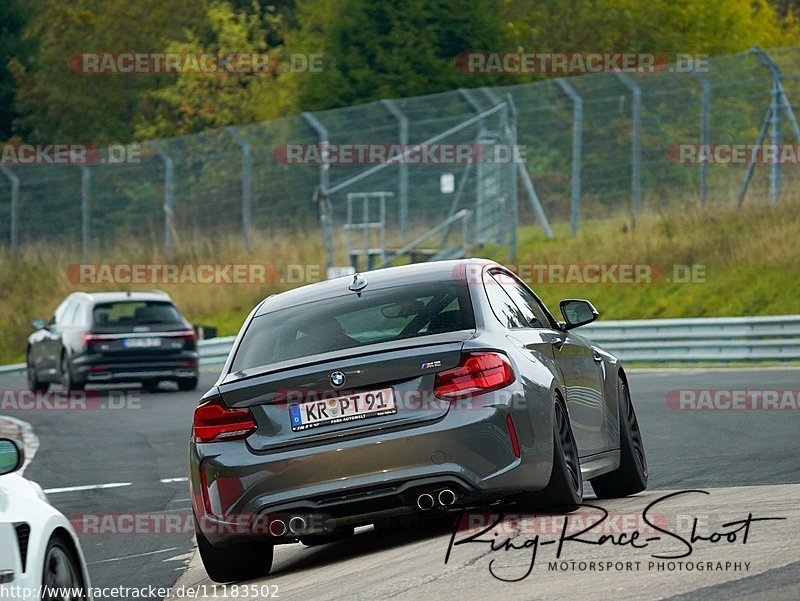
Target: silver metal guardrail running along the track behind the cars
{"type": "Point", "coordinates": [715, 339]}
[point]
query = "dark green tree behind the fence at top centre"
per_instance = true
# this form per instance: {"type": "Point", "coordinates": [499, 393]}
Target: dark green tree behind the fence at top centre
{"type": "Point", "coordinates": [388, 48]}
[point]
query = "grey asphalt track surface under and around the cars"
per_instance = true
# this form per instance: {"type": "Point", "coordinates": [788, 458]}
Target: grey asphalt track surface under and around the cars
{"type": "Point", "coordinates": [746, 460]}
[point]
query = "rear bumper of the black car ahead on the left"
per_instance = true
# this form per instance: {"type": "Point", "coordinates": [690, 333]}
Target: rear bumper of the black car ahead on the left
{"type": "Point", "coordinates": [98, 369]}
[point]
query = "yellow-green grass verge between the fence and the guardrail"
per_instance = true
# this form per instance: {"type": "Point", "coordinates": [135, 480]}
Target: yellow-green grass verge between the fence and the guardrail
{"type": "Point", "coordinates": [742, 263]}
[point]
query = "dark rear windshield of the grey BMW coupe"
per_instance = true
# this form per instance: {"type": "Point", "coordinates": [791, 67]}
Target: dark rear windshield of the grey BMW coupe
{"type": "Point", "coordinates": [351, 321]}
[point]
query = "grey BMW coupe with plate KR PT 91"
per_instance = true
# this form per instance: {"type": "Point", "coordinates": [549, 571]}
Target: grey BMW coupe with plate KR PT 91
{"type": "Point", "coordinates": [411, 389]}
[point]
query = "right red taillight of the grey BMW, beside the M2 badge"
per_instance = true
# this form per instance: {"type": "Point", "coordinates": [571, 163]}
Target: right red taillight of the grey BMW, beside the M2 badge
{"type": "Point", "coordinates": [477, 374]}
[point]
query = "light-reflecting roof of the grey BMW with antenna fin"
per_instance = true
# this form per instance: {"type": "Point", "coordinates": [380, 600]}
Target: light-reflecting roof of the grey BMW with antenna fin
{"type": "Point", "coordinates": [431, 271]}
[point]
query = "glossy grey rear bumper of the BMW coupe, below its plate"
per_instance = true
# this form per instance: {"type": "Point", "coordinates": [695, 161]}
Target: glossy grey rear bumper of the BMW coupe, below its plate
{"type": "Point", "coordinates": [356, 481]}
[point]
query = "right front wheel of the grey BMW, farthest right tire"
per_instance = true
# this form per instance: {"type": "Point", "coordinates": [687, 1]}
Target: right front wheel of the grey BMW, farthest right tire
{"type": "Point", "coordinates": [631, 475]}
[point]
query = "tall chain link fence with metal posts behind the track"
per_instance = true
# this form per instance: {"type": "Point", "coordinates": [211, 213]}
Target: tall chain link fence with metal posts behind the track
{"type": "Point", "coordinates": [594, 146]}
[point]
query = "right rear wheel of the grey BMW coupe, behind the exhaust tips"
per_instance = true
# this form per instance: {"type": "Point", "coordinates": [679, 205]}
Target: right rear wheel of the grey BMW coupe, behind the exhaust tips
{"type": "Point", "coordinates": [564, 491]}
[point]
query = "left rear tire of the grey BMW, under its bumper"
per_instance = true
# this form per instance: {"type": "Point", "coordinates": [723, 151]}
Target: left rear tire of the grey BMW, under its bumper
{"type": "Point", "coordinates": [245, 561]}
